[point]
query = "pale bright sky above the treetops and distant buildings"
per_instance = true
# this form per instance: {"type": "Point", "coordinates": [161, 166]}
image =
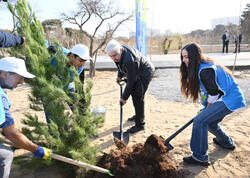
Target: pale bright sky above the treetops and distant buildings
{"type": "Point", "coordinates": [180, 16]}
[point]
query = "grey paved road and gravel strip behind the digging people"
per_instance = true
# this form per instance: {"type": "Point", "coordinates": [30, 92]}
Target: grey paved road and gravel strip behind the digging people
{"type": "Point", "coordinates": [166, 85]}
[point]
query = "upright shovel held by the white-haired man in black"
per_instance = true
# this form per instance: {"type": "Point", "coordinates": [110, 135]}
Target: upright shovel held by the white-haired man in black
{"type": "Point", "coordinates": [123, 136]}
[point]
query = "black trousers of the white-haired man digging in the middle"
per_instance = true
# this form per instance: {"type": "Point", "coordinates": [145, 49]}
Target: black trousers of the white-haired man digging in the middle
{"type": "Point", "coordinates": [138, 95]}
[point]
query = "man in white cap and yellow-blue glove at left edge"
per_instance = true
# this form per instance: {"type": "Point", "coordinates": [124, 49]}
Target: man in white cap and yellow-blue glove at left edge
{"type": "Point", "coordinates": [12, 72]}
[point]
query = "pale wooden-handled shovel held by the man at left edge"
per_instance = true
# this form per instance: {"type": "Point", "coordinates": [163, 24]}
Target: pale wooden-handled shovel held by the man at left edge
{"type": "Point", "coordinates": [69, 160]}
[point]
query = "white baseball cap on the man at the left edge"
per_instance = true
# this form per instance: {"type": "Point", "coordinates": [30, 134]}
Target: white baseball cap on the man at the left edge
{"type": "Point", "coordinates": [16, 65]}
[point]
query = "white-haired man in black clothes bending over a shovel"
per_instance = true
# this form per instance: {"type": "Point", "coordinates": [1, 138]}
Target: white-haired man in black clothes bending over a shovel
{"type": "Point", "coordinates": [132, 65]}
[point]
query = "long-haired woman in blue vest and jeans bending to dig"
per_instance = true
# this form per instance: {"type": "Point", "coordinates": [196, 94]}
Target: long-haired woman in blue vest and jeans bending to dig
{"type": "Point", "coordinates": [220, 95]}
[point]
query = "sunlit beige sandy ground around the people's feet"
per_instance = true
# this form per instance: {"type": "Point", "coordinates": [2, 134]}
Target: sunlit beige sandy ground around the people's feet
{"type": "Point", "coordinates": [162, 118]}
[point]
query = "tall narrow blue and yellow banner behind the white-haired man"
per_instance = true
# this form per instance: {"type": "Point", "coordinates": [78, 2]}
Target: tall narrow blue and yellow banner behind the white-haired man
{"type": "Point", "coordinates": [141, 26]}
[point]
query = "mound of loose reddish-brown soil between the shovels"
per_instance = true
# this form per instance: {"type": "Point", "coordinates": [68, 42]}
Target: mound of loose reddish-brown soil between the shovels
{"type": "Point", "coordinates": [148, 161]}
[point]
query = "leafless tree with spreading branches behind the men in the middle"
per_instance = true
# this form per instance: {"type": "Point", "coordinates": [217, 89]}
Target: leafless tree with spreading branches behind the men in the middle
{"type": "Point", "coordinates": [104, 18]}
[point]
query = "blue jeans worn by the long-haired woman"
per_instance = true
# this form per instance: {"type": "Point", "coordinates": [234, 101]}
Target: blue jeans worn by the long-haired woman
{"type": "Point", "coordinates": [208, 120]}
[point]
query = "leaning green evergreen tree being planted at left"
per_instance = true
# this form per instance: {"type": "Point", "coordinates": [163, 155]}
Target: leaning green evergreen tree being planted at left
{"type": "Point", "coordinates": [72, 122]}
